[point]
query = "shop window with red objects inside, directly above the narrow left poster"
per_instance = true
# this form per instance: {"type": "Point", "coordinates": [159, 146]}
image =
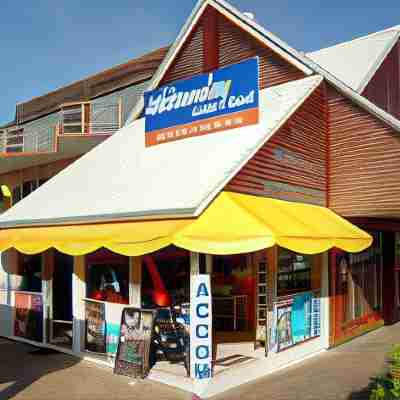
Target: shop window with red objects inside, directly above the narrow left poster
{"type": "Point", "coordinates": [108, 282]}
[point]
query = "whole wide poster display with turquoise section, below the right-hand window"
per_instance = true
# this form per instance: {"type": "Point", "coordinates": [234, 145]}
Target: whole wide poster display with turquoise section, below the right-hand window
{"type": "Point", "coordinates": [295, 319]}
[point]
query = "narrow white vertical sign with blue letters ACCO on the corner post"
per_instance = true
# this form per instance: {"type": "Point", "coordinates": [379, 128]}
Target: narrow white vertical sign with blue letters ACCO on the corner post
{"type": "Point", "coordinates": [200, 327]}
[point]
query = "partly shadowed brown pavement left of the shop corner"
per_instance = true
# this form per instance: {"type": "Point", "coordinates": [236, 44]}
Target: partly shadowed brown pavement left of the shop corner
{"type": "Point", "coordinates": [28, 374]}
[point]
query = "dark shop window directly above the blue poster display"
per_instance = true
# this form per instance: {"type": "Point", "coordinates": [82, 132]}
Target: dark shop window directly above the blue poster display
{"type": "Point", "coordinates": [294, 272]}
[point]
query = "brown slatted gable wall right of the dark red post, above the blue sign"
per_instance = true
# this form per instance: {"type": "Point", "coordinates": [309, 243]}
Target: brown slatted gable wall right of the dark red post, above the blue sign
{"type": "Point", "coordinates": [236, 45]}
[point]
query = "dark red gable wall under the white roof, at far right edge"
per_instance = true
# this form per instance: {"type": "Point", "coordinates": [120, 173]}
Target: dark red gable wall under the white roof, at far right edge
{"type": "Point", "coordinates": [384, 88]}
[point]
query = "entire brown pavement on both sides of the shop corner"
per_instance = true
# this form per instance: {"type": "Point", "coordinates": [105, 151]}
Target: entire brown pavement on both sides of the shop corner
{"type": "Point", "coordinates": [341, 373]}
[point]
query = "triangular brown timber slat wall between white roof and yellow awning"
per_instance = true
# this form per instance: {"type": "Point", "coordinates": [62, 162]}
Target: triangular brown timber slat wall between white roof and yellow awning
{"type": "Point", "coordinates": [303, 135]}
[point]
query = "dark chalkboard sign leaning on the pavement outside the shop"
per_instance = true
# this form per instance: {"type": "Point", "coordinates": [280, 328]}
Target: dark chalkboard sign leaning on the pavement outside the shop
{"type": "Point", "coordinates": [134, 342]}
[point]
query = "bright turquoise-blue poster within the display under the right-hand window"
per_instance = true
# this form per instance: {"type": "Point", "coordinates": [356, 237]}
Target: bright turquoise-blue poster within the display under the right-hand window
{"type": "Point", "coordinates": [301, 317]}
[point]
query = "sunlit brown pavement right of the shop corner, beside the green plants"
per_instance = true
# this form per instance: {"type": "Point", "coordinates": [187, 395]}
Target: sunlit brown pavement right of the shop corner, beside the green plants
{"type": "Point", "coordinates": [340, 373]}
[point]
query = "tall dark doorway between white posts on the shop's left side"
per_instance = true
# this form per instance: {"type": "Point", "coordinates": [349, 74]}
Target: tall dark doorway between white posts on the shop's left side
{"type": "Point", "coordinates": [60, 332]}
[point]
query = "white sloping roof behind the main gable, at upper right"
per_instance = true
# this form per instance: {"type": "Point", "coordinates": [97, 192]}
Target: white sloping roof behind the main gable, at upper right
{"type": "Point", "coordinates": [355, 62]}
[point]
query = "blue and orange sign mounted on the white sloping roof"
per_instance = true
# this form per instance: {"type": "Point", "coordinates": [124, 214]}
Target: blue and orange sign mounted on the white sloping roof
{"type": "Point", "coordinates": [223, 99]}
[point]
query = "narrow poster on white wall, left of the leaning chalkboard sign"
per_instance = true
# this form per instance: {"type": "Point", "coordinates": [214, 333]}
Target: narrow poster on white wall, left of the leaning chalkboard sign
{"type": "Point", "coordinates": [95, 326]}
